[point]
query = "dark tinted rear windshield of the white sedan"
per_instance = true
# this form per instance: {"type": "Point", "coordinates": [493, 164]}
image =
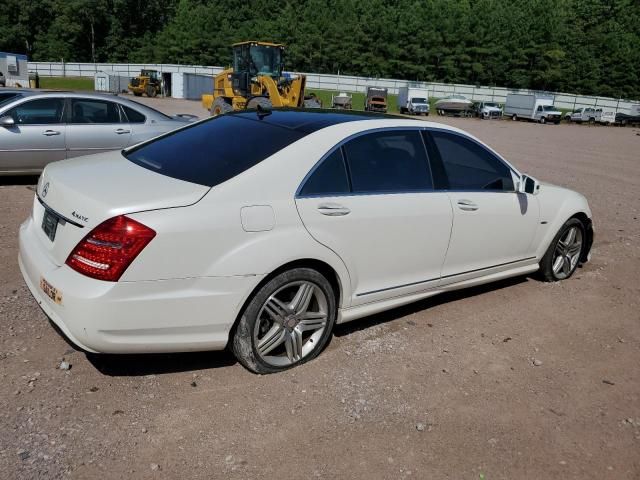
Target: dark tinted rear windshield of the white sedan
{"type": "Point", "coordinates": [214, 151]}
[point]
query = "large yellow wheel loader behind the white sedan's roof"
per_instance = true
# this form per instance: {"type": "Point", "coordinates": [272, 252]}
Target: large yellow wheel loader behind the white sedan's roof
{"type": "Point", "coordinates": [256, 80]}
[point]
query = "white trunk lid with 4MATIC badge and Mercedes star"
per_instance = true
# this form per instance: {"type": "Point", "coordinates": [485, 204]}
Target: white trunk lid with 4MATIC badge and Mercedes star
{"type": "Point", "coordinates": [83, 192]}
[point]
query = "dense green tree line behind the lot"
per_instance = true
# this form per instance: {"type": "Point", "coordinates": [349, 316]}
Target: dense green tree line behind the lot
{"type": "Point", "coordinates": [590, 47]}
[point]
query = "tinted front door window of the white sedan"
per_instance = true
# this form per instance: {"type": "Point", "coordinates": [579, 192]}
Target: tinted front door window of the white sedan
{"type": "Point", "coordinates": [469, 166]}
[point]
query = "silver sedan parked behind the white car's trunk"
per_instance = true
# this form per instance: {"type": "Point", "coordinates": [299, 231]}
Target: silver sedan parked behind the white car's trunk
{"type": "Point", "coordinates": [37, 128]}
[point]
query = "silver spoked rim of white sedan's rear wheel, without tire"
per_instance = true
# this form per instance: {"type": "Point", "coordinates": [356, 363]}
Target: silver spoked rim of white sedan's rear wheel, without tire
{"type": "Point", "coordinates": [290, 323]}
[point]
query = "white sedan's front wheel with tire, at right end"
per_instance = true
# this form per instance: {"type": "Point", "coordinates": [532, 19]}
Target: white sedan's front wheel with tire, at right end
{"type": "Point", "coordinates": [563, 255]}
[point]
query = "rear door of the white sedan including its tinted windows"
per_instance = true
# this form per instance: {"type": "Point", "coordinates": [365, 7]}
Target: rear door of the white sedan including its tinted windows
{"type": "Point", "coordinates": [372, 202]}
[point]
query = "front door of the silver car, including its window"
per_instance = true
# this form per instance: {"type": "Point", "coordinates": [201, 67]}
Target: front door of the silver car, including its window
{"type": "Point", "coordinates": [37, 138]}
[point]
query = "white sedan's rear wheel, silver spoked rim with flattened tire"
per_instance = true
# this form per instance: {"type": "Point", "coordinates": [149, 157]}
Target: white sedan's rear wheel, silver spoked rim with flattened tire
{"type": "Point", "coordinates": [286, 323]}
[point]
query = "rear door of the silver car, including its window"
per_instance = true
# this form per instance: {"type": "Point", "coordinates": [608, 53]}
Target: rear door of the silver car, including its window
{"type": "Point", "coordinates": [94, 126]}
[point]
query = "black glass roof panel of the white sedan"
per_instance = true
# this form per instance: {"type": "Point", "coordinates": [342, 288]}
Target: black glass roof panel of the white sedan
{"type": "Point", "coordinates": [309, 120]}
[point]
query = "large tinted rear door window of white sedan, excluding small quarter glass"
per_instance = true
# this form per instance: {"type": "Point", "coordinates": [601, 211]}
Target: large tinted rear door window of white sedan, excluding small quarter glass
{"type": "Point", "coordinates": [393, 161]}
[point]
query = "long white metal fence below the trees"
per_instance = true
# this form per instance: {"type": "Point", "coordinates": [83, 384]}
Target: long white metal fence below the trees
{"type": "Point", "coordinates": [336, 83]}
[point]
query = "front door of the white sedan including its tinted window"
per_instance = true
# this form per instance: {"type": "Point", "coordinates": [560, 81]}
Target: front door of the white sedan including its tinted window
{"type": "Point", "coordinates": [493, 225]}
